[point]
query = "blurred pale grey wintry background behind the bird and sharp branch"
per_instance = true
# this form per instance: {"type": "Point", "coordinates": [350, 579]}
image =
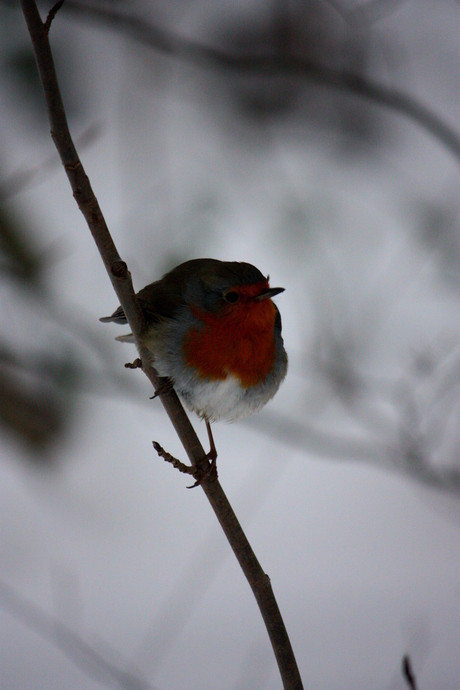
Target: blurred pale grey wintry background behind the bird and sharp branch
{"type": "Point", "coordinates": [319, 141]}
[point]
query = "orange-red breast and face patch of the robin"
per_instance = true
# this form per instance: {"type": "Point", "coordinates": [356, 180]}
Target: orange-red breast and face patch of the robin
{"type": "Point", "coordinates": [237, 340]}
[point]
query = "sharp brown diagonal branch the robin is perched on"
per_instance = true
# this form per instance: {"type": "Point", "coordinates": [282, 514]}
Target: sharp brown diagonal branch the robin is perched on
{"type": "Point", "coordinates": [121, 280]}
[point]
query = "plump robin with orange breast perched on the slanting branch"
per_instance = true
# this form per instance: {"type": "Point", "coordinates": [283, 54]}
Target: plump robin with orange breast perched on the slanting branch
{"type": "Point", "coordinates": [215, 334]}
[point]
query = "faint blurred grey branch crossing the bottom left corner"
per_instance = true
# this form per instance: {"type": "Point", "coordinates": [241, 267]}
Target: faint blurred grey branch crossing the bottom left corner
{"type": "Point", "coordinates": [71, 644]}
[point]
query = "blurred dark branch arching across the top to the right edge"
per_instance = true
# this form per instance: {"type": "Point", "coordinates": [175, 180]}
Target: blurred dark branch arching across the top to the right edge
{"type": "Point", "coordinates": [341, 80]}
